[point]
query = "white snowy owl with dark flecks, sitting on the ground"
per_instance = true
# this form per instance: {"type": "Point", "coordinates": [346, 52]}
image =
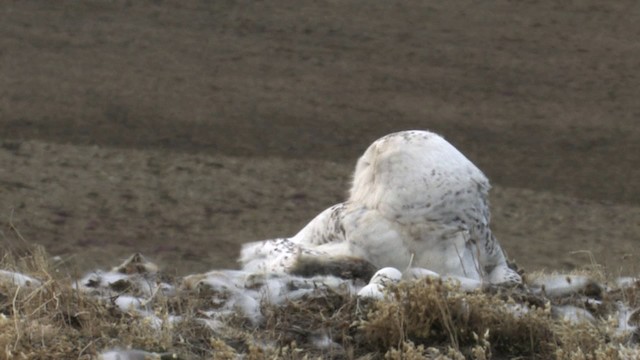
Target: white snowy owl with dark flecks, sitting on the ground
{"type": "Point", "coordinates": [415, 202]}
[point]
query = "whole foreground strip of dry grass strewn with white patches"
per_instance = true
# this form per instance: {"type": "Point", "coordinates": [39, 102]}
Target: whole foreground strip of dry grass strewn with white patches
{"type": "Point", "coordinates": [135, 311]}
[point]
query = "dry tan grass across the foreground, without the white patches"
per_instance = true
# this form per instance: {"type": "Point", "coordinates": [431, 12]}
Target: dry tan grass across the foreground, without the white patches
{"type": "Point", "coordinates": [423, 319]}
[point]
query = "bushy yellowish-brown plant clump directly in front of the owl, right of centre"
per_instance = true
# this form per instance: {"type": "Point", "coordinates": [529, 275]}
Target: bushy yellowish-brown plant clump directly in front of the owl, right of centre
{"type": "Point", "coordinates": [478, 325]}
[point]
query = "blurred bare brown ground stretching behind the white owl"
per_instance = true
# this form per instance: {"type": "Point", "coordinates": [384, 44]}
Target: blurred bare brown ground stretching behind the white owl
{"type": "Point", "coordinates": [183, 129]}
